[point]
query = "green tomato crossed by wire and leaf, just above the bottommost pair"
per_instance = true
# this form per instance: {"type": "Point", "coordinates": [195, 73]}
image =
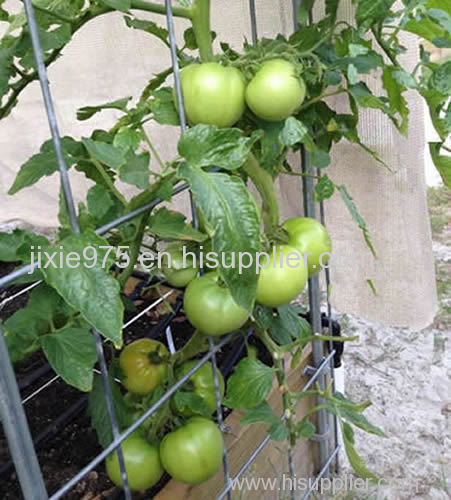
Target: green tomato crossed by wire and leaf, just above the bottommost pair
{"type": "Point", "coordinates": [201, 384]}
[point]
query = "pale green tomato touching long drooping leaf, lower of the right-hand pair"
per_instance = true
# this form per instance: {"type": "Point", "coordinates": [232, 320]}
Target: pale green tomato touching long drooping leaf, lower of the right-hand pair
{"type": "Point", "coordinates": [283, 279]}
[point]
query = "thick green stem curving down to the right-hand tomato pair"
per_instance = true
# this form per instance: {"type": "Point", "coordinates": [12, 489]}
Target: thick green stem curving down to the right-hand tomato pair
{"type": "Point", "coordinates": [264, 183]}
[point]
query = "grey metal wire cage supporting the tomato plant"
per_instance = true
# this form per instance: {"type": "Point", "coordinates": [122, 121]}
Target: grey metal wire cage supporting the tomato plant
{"type": "Point", "coordinates": [12, 413]}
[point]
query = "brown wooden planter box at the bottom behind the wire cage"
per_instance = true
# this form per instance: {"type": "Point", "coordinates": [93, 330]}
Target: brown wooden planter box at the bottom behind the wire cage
{"type": "Point", "coordinates": [271, 463]}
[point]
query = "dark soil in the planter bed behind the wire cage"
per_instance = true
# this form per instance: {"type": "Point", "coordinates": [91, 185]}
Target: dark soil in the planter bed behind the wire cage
{"type": "Point", "coordinates": [72, 444]}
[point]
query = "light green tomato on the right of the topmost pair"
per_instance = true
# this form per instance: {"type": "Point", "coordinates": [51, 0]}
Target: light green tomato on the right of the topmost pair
{"type": "Point", "coordinates": [275, 92]}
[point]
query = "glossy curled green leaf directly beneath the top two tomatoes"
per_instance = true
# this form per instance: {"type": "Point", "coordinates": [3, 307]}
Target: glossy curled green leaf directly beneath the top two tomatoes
{"type": "Point", "coordinates": [208, 146]}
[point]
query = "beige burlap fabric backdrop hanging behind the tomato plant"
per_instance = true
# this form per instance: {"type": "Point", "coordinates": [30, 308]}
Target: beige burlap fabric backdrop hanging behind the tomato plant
{"type": "Point", "coordinates": [106, 60]}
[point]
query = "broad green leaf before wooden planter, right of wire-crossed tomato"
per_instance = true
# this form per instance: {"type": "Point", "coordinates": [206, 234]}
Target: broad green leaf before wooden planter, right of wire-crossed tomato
{"type": "Point", "coordinates": [249, 385]}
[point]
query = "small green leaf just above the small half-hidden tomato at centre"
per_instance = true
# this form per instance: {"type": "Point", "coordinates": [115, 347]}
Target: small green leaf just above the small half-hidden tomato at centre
{"type": "Point", "coordinates": [171, 225]}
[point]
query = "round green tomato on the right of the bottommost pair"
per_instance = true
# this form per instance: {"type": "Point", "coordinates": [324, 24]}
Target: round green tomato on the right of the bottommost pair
{"type": "Point", "coordinates": [193, 453]}
